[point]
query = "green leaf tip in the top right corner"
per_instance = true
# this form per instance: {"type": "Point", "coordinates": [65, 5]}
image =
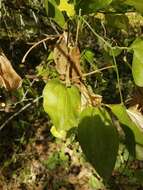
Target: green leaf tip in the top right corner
{"type": "Point", "coordinates": [137, 4]}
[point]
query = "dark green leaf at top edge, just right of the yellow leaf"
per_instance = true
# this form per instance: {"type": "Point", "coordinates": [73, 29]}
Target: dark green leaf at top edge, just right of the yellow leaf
{"type": "Point", "coordinates": [91, 6]}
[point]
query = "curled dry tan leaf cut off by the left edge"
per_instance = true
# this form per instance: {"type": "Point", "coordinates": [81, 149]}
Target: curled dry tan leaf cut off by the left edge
{"type": "Point", "coordinates": [8, 76]}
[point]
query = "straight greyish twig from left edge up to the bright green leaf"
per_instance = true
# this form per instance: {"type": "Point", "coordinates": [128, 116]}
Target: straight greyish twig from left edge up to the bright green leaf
{"type": "Point", "coordinates": [21, 110]}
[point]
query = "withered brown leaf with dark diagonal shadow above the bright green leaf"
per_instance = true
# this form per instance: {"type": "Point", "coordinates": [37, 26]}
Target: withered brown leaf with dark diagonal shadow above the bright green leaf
{"type": "Point", "coordinates": [67, 58]}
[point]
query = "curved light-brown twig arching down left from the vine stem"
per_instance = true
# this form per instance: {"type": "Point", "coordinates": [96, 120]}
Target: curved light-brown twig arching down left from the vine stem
{"type": "Point", "coordinates": [50, 37]}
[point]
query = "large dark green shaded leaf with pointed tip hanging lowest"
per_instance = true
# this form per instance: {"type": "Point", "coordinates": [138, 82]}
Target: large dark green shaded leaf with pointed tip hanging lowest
{"type": "Point", "coordinates": [99, 140]}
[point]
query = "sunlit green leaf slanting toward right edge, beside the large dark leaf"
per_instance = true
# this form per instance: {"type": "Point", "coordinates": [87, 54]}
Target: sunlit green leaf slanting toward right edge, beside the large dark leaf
{"type": "Point", "coordinates": [123, 117]}
